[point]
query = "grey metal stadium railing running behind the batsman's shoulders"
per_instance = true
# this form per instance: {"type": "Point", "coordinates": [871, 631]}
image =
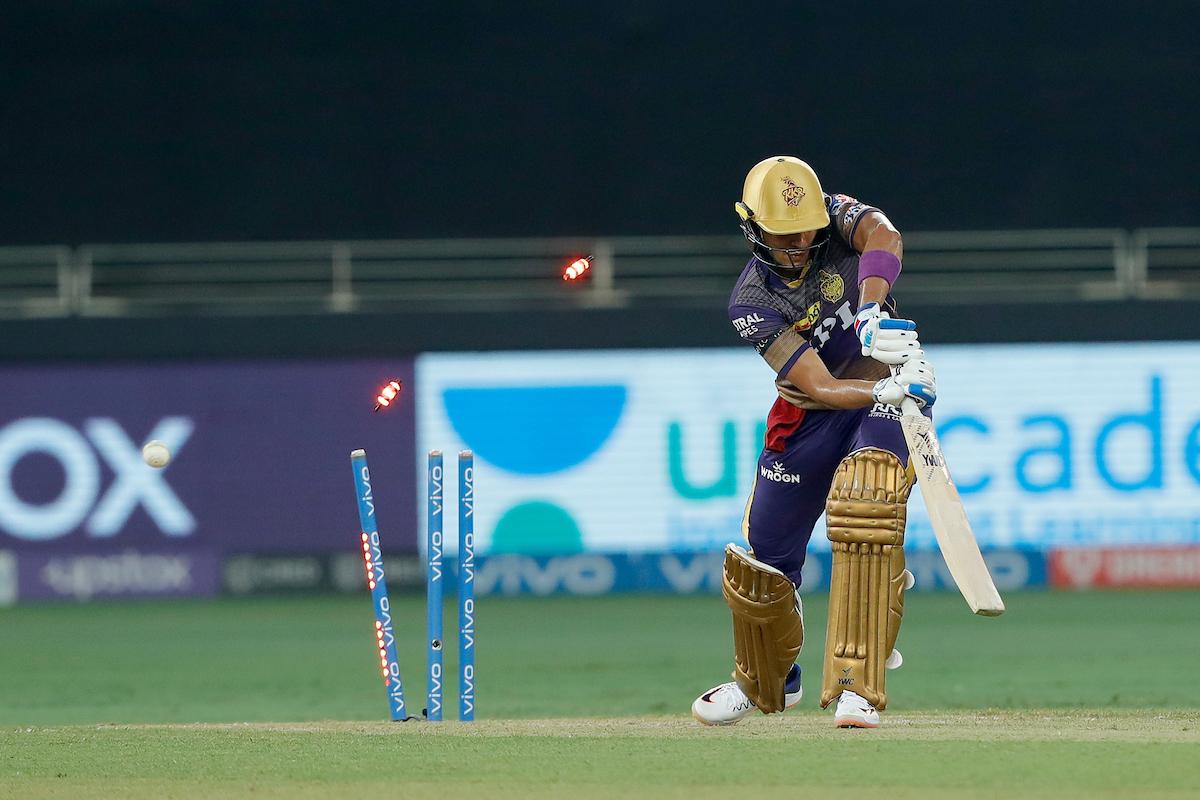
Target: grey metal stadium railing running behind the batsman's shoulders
{"type": "Point", "coordinates": [517, 274]}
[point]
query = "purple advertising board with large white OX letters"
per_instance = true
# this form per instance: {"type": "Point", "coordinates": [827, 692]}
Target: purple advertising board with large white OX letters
{"type": "Point", "coordinates": [261, 456]}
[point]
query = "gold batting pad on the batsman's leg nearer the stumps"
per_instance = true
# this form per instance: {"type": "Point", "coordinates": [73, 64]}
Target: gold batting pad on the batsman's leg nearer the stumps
{"type": "Point", "coordinates": [769, 630]}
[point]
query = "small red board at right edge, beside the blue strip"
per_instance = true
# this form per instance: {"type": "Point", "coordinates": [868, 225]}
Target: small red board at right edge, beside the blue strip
{"type": "Point", "coordinates": [1126, 567]}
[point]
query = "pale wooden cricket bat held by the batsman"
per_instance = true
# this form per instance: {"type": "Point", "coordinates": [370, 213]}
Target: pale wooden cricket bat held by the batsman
{"type": "Point", "coordinates": [946, 514]}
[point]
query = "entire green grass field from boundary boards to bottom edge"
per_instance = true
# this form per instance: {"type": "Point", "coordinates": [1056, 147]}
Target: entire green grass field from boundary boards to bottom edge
{"type": "Point", "coordinates": [1069, 695]}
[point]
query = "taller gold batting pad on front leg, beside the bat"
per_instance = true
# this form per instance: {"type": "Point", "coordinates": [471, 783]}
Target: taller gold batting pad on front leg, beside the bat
{"type": "Point", "coordinates": [866, 519]}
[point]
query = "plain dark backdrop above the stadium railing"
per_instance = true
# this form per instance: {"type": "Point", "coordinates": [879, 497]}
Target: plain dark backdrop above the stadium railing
{"type": "Point", "coordinates": [159, 122]}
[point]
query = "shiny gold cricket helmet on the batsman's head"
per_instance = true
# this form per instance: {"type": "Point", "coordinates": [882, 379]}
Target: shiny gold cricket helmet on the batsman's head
{"type": "Point", "coordinates": [783, 196]}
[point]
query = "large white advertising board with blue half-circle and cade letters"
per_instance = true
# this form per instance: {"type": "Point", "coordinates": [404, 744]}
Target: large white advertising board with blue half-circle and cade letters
{"type": "Point", "coordinates": [656, 450]}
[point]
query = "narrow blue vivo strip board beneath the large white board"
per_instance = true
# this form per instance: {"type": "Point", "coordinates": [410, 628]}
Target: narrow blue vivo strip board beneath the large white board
{"type": "Point", "coordinates": [598, 574]}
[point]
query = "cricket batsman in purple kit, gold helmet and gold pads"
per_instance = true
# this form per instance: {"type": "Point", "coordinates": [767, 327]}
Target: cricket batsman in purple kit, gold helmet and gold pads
{"type": "Point", "coordinates": [814, 302]}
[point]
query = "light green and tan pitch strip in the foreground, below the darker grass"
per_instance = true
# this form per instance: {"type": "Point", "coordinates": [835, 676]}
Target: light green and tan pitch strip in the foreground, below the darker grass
{"type": "Point", "coordinates": [1019, 755]}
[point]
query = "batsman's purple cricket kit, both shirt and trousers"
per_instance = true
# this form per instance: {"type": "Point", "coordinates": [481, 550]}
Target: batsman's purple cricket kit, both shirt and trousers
{"type": "Point", "coordinates": [807, 440]}
